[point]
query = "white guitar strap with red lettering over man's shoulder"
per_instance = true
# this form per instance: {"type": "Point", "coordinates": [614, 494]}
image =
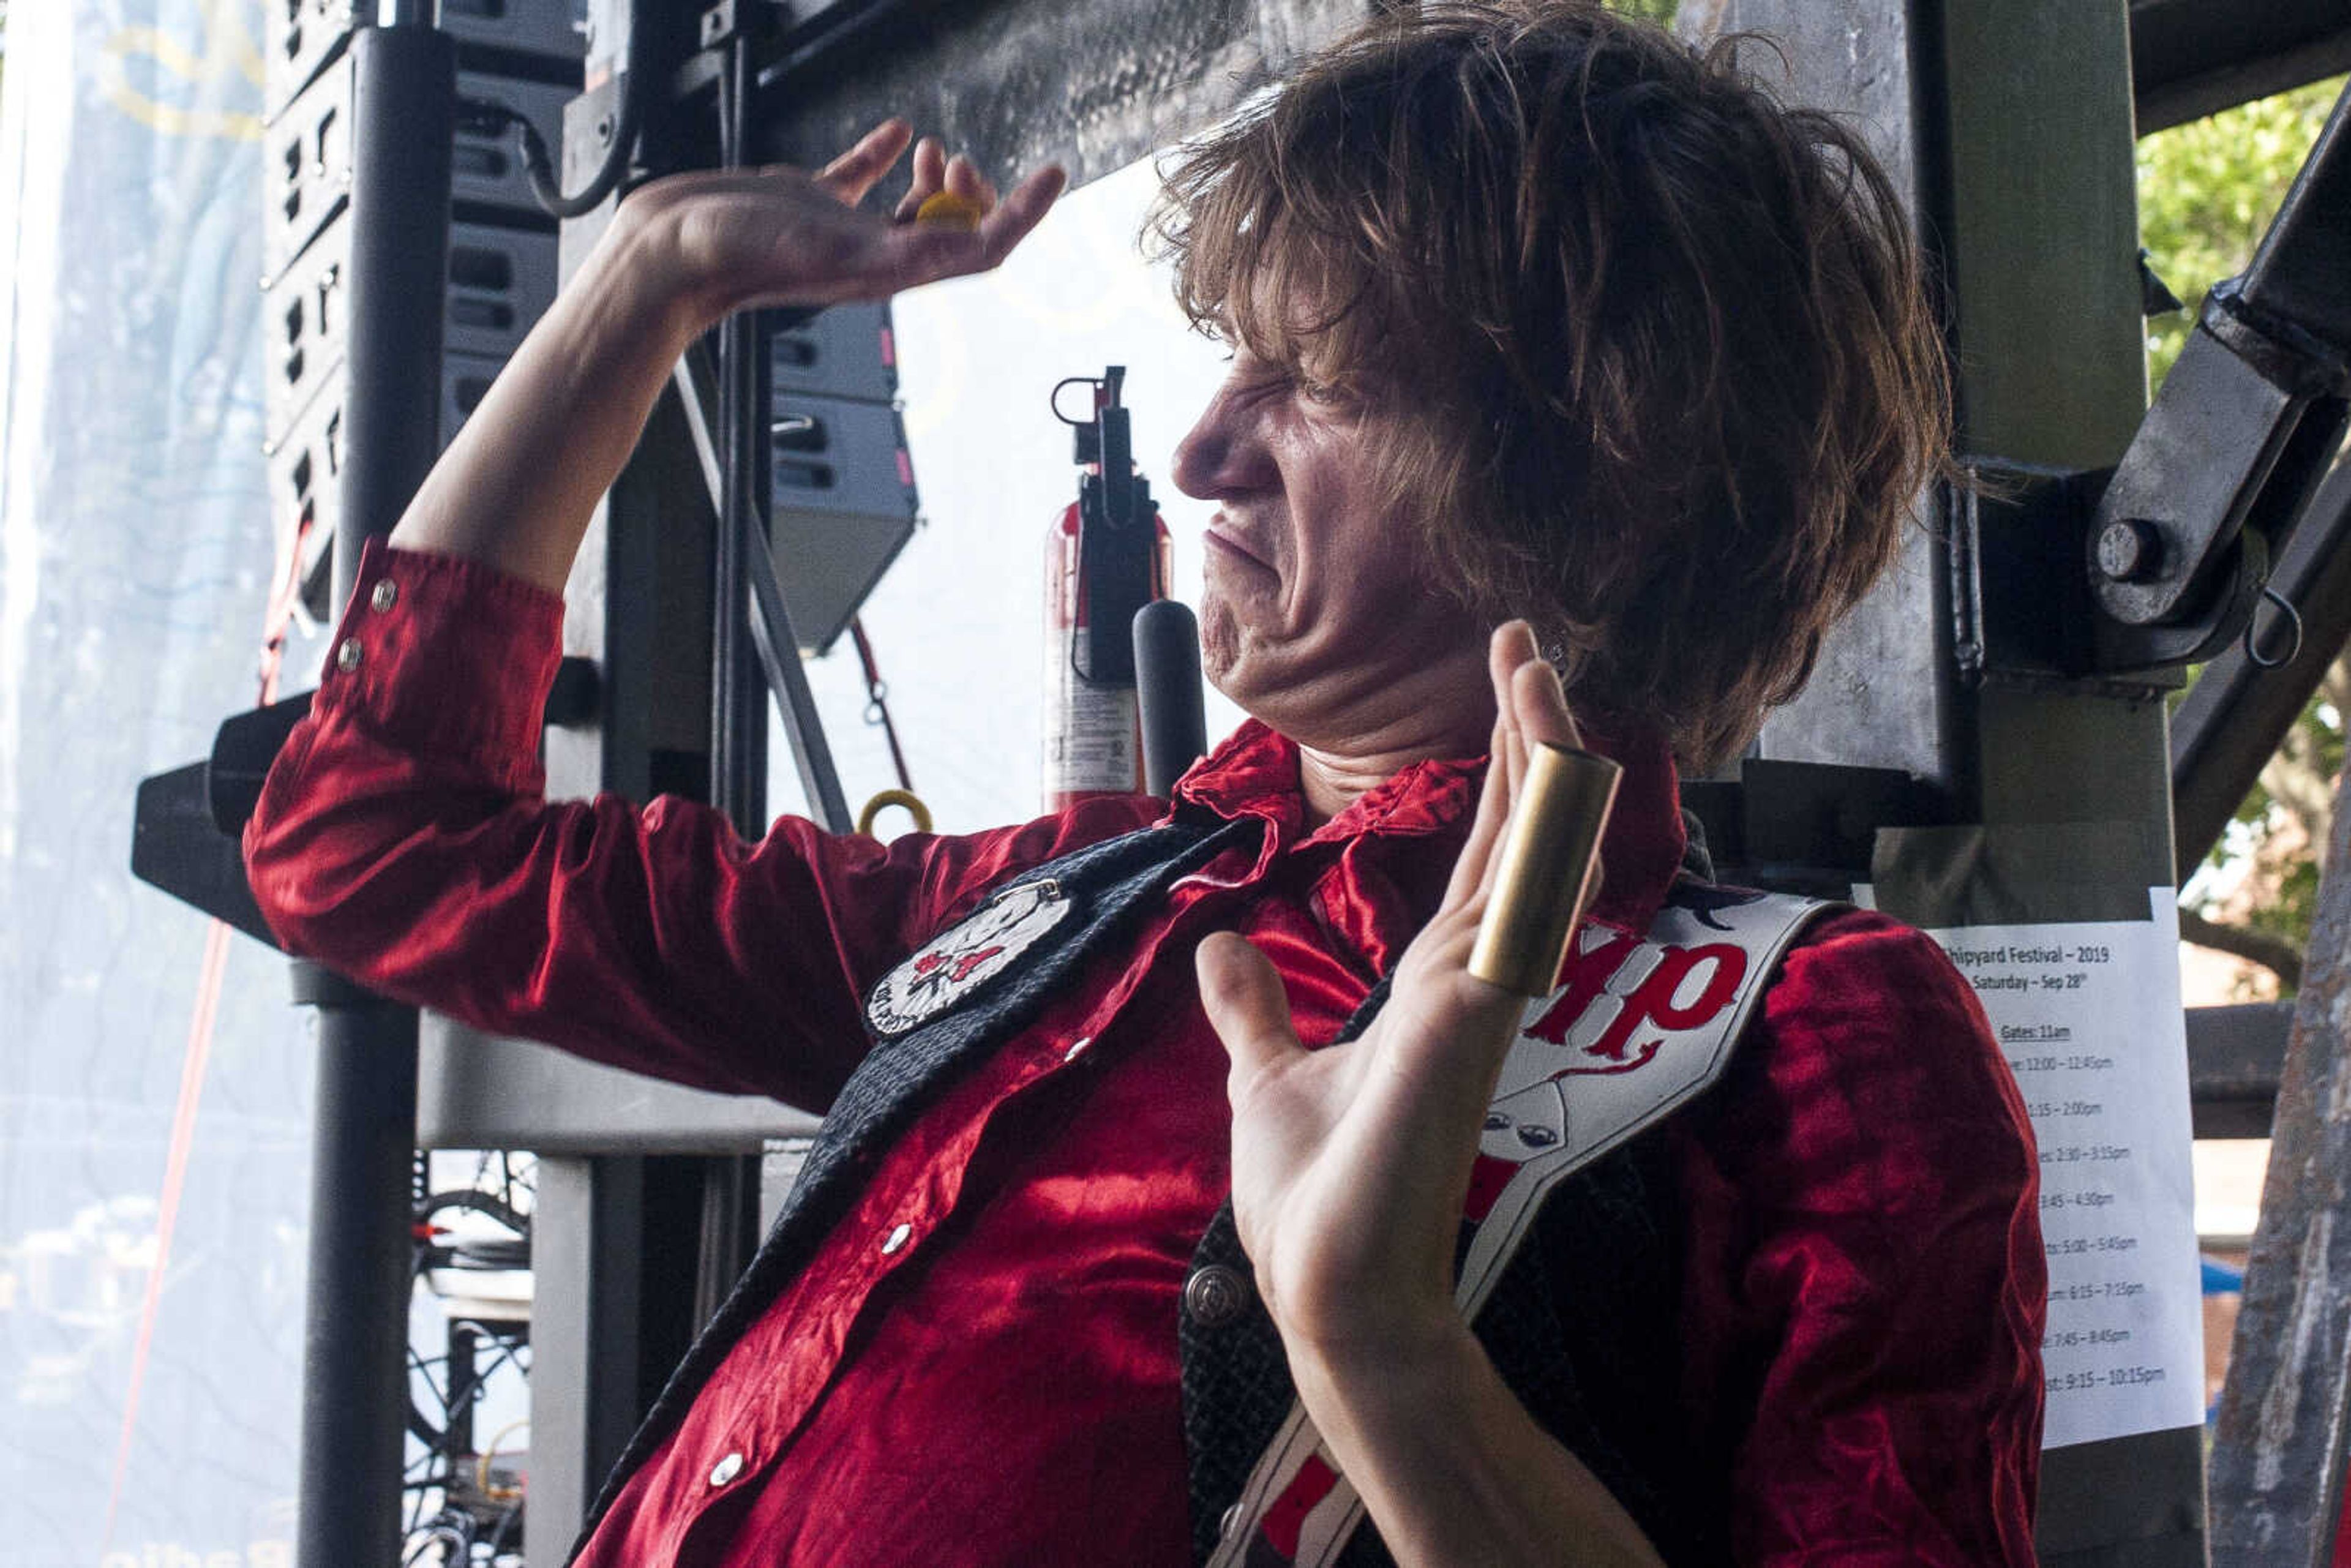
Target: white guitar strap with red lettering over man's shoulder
{"type": "Point", "coordinates": [1635, 1031]}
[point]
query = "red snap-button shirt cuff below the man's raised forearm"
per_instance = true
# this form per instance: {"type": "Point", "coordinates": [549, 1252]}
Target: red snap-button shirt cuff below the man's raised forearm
{"type": "Point", "coordinates": [446, 657]}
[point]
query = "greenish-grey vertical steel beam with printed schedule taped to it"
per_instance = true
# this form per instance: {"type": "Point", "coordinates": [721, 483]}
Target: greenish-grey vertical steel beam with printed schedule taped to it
{"type": "Point", "coordinates": [2037, 229]}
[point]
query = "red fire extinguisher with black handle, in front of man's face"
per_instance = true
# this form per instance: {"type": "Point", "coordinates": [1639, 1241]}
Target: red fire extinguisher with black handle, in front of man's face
{"type": "Point", "coordinates": [1106, 558]}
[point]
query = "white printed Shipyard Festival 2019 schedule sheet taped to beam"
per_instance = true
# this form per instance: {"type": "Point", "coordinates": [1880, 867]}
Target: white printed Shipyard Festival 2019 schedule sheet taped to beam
{"type": "Point", "coordinates": [2089, 1019]}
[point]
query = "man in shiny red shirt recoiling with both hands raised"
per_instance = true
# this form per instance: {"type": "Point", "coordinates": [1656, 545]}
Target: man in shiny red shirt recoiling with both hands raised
{"type": "Point", "coordinates": [1536, 319]}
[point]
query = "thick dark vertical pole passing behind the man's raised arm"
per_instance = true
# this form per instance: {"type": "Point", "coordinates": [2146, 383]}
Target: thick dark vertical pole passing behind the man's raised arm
{"type": "Point", "coordinates": [356, 1318]}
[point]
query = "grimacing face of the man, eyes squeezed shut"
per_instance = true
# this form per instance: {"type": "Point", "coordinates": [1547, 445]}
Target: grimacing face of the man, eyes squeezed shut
{"type": "Point", "coordinates": [1313, 596]}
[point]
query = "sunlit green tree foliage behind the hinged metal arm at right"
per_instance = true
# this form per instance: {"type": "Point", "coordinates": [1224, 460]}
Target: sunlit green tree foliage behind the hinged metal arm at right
{"type": "Point", "coordinates": [2206, 194]}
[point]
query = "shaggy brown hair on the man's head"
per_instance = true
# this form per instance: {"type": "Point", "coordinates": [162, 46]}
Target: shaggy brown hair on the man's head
{"type": "Point", "coordinates": [1659, 344]}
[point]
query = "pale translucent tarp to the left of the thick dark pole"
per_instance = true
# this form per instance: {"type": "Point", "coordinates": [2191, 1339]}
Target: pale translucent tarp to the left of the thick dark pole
{"type": "Point", "coordinates": [142, 1428]}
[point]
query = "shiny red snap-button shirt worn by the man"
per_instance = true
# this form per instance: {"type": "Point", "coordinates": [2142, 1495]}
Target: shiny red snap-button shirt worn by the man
{"type": "Point", "coordinates": [979, 1365]}
